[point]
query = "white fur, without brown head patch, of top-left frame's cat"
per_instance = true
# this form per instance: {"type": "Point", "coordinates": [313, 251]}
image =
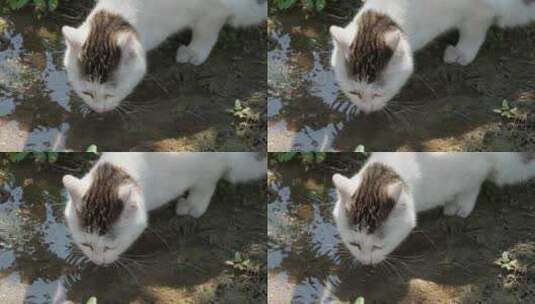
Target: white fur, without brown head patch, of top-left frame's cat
{"type": "Point", "coordinates": [154, 21]}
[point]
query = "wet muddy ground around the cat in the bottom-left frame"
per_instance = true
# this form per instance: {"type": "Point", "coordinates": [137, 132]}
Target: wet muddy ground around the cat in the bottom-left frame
{"type": "Point", "coordinates": [220, 258]}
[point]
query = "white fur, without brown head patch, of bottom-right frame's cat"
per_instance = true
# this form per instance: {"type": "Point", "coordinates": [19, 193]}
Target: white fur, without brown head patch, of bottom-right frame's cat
{"type": "Point", "coordinates": [451, 180]}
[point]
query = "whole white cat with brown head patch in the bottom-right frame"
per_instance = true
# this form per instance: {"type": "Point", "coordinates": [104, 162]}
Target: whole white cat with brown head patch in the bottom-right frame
{"type": "Point", "coordinates": [377, 208]}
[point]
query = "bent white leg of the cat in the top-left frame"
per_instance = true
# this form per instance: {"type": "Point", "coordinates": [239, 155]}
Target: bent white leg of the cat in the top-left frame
{"type": "Point", "coordinates": [205, 33]}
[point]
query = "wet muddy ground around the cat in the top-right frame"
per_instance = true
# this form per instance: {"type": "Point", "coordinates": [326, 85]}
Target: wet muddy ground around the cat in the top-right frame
{"type": "Point", "coordinates": [443, 107]}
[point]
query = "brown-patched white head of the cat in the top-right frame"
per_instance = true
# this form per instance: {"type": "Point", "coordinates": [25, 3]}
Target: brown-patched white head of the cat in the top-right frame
{"type": "Point", "coordinates": [372, 60]}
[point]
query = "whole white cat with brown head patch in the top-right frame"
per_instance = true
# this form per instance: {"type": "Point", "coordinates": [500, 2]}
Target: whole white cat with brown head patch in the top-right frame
{"type": "Point", "coordinates": [373, 56]}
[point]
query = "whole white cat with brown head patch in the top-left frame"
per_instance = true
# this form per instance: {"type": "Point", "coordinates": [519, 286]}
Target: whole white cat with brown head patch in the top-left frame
{"type": "Point", "coordinates": [106, 56]}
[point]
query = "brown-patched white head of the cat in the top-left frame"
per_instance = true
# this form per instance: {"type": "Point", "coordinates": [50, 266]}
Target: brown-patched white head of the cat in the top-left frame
{"type": "Point", "coordinates": [104, 60]}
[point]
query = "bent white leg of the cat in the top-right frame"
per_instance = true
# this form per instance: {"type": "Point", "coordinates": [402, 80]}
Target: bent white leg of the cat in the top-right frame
{"type": "Point", "coordinates": [472, 34]}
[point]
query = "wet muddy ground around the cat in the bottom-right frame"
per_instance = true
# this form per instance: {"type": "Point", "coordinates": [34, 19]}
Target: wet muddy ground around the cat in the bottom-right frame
{"type": "Point", "coordinates": [486, 258]}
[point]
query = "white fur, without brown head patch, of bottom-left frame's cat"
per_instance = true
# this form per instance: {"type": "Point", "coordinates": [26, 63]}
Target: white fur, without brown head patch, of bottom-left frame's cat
{"type": "Point", "coordinates": [160, 178]}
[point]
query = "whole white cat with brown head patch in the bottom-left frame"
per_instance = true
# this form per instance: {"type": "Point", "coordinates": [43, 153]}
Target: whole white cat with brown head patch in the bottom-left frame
{"type": "Point", "coordinates": [107, 208]}
